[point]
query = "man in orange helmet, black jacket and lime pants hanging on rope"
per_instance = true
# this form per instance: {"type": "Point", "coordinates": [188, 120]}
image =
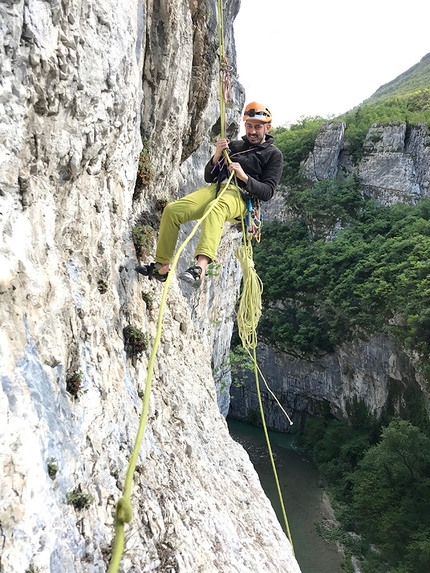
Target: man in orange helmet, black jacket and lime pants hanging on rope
{"type": "Point", "coordinates": [257, 164]}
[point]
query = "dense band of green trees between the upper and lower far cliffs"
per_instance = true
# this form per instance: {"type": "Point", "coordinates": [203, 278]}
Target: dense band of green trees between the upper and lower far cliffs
{"type": "Point", "coordinates": [370, 276]}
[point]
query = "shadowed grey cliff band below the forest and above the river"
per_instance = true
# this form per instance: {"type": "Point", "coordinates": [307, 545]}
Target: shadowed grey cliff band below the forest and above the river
{"type": "Point", "coordinates": [371, 371]}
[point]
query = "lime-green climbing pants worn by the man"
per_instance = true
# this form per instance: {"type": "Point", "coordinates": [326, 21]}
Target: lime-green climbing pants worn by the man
{"type": "Point", "coordinates": [229, 206]}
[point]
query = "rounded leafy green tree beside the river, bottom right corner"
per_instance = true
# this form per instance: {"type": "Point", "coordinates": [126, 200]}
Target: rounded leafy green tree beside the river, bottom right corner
{"type": "Point", "coordinates": [391, 495]}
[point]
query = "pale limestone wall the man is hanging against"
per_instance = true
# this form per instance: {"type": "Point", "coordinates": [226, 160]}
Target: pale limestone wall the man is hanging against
{"type": "Point", "coordinates": [82, 82]}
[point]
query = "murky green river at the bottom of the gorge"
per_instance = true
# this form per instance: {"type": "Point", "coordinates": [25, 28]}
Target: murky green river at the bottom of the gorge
{"type": "Point", "coordinates": [304, 499]}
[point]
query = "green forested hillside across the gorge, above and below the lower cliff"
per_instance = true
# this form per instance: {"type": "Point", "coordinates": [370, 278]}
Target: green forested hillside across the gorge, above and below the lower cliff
{"type": "Point", "coordinates": [343, 267]}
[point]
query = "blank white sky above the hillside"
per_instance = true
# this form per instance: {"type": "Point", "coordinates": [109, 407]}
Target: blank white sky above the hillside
{"type": "Point", "coordinates": [310, 57]}
